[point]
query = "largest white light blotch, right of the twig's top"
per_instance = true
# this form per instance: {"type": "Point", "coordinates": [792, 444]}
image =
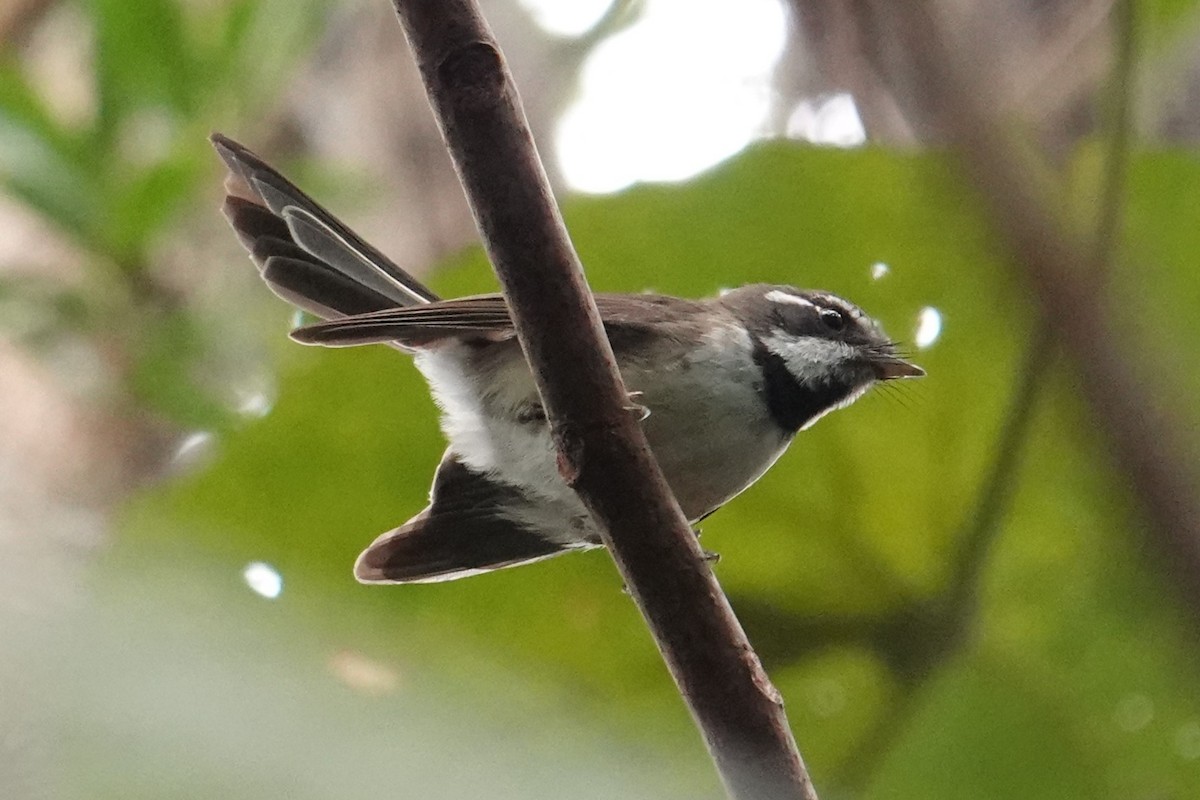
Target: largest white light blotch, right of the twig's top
{"type": "Point", "coordinates": [680, 91]}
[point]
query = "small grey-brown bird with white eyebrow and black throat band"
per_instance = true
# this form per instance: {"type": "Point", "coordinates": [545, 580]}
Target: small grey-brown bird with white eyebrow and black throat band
{"type": "Point", "coordinates": [722, 386]}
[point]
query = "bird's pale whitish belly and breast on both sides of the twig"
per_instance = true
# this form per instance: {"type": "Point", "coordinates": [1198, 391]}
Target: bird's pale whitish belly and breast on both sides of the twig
{"type": "Point", "coordinates": [712, 438]}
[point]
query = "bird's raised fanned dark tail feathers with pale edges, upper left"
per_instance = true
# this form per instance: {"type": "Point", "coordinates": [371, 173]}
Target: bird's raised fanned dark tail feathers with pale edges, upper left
{"type": "Point", "coordinates": [304, 252]}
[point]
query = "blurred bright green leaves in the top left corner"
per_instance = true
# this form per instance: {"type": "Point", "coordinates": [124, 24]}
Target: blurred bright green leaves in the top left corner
{"type": "Point", "coordinates": [116, 183]}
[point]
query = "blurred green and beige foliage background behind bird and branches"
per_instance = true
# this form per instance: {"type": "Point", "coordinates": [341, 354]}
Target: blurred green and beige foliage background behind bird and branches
{"type": "Point", "coordinates": [183, 492]}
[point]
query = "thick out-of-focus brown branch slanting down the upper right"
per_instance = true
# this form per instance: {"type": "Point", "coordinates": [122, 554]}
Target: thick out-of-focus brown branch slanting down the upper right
{"type": "Point", "coordinates": [1066, 274]}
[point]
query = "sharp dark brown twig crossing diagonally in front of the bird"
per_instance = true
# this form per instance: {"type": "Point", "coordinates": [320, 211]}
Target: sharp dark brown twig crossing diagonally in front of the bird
{"type": "Point", "coordinates": [603, 454]}
